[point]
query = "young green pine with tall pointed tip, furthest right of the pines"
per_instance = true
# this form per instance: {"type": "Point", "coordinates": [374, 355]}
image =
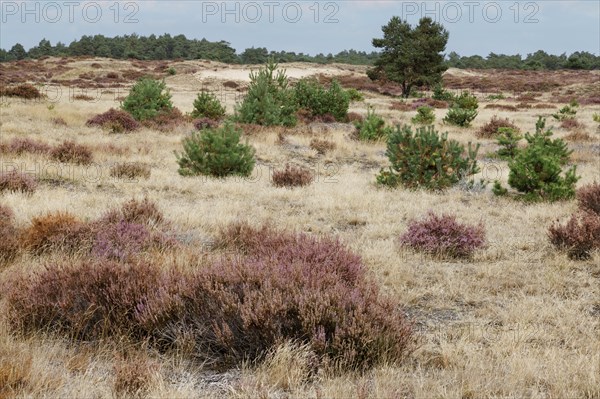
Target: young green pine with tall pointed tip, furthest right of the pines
{"type": "Point", "coordinates": [535, 171]}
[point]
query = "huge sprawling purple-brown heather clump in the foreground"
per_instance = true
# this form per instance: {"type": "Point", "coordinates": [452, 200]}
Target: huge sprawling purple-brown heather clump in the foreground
{"type": "Point", "coordinates": [281, 287]}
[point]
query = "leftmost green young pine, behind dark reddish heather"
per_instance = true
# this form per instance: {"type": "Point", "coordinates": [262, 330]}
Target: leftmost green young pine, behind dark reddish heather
{"type": "Point", "coordinates": [147, 98]}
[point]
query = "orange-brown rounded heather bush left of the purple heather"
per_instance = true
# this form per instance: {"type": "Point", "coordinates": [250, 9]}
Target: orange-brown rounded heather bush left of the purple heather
{"type": "Point", "coordinates": [59, 231]}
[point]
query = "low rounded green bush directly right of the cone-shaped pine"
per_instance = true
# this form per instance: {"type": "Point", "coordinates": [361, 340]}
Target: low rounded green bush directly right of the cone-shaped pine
{"type": "Point", "coordinates": [312, 96]}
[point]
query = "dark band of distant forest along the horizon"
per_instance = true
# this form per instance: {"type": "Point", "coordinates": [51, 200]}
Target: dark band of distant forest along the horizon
{"type": "Point", "coordinates": [167, 47]}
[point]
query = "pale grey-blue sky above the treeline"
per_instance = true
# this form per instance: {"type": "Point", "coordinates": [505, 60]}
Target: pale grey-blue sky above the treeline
{"type": "Point", "coordinates": [311, 27]}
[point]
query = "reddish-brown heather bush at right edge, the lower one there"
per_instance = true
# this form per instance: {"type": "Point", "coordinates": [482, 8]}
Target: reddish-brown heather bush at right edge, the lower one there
{"type": "Point", "coordinates": [579, 236]}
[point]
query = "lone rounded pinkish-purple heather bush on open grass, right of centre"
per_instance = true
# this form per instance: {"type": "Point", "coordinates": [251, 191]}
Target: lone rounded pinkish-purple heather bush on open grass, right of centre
{"type": "Point", "coordinates": [443, 236]}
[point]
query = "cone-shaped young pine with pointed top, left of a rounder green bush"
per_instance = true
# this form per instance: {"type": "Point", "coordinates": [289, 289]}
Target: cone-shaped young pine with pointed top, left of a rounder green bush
{"type": "Point", "coordinates": [269, 100]}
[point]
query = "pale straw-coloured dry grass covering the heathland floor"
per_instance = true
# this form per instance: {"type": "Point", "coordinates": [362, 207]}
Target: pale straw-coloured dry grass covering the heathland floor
{"type": "Point", "coordinates": [518, 320]}
